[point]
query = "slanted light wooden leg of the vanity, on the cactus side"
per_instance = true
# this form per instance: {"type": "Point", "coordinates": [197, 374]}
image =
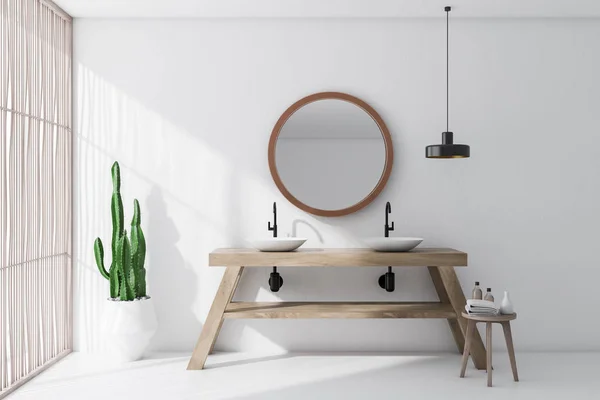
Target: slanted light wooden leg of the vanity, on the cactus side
{"type": "Point", "coordinates": [213, 322]}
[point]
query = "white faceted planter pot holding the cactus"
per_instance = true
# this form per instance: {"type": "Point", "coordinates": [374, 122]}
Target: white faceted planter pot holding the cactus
{"type": "Point", "coordinates": [127, 328]}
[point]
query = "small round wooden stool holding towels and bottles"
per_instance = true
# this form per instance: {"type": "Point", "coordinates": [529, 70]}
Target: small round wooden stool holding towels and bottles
{"type": "Point", "coordinates": [504, 320]}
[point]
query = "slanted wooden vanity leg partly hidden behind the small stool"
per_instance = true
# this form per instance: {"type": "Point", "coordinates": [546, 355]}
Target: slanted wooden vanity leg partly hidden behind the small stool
{"type": "Point", "coordinates": [448, 288]}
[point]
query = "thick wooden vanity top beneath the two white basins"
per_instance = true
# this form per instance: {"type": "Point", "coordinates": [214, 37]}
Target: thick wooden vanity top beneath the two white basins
{"type": "Point", "coordinates": [337, 258]}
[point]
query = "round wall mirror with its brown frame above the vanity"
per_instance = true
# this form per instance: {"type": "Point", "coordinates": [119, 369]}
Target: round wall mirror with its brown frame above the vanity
{"type": "Point", "coordinates": [330, 154]}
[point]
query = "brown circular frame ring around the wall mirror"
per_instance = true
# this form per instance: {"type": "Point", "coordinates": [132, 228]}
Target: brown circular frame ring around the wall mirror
{"type": "Point", "coordinates": [389, 153]}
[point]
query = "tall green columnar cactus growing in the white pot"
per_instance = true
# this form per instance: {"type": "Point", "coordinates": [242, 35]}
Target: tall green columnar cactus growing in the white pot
{"type": "Point", "coordinates": [126, 274]}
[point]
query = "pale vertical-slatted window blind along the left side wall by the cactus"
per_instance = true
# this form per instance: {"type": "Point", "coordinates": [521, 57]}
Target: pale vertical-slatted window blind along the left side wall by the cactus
{"type": "Point", "coordinates": [35, 189]}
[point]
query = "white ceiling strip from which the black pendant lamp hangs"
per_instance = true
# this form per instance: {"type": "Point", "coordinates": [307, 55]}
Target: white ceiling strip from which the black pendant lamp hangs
{"type": "Point", "coordinates": [329, 8]}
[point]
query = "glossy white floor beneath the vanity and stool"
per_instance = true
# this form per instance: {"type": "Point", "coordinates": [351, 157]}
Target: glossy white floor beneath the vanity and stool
{"type": "Point", "coordinates": [545, 376]}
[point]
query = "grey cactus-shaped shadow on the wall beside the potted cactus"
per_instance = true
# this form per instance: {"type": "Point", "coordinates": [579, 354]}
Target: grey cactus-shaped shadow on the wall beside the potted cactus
{"type": "Point", "coordinates": [172, 283]}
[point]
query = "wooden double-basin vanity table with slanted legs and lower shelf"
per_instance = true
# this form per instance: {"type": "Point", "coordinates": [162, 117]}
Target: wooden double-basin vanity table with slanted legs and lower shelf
{"type": "Point", "coordinates": [440, 263]}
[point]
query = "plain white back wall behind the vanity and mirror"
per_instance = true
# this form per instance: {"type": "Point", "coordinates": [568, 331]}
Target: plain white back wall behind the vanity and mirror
{"type": "Point", "coordinates": [187, 107]}
